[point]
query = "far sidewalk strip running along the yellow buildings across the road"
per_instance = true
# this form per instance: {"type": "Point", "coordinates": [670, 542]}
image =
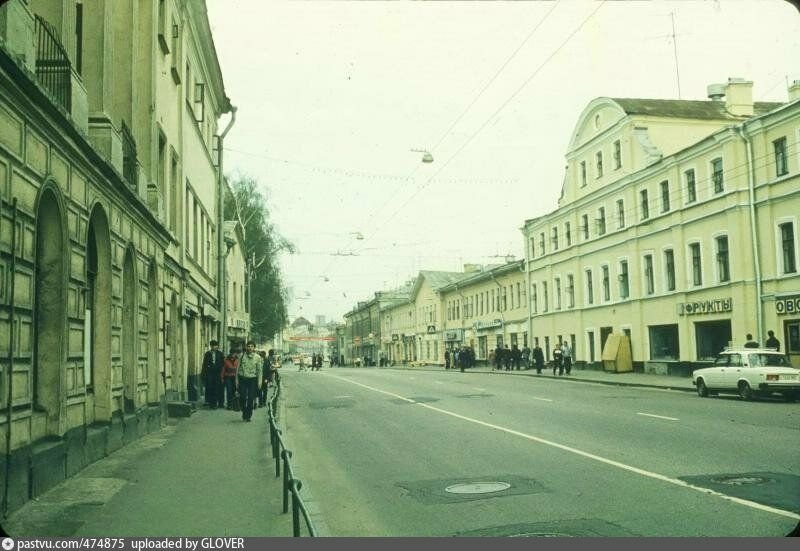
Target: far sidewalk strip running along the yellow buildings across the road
{"type": "Point", "coordinates": [583, 375]}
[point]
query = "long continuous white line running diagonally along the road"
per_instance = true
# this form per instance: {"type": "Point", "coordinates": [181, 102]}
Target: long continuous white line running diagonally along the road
{"type": "Point", "coordinates": [611, 462]}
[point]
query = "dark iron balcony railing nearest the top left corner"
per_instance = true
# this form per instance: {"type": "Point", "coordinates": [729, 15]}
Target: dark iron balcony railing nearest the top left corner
{"type": "Point", "coordinates": [53, 69]}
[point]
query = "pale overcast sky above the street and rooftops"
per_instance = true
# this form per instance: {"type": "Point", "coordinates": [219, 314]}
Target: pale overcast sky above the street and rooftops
{"type": "Point", "coordinates": [333, 96]}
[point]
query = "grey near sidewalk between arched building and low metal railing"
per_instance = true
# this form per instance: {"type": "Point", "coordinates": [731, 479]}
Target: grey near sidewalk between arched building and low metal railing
{"type": "Point", "coordinates": [207, 475]}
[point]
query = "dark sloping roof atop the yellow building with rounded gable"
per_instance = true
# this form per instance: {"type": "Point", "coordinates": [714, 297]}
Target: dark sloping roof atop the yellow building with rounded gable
{"type": "Point", "coordinates": [687, 109]}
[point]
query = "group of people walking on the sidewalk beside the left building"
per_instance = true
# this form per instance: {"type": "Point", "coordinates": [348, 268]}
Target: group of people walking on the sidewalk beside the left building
{"type": "Point", "coordinates": [243, 377]}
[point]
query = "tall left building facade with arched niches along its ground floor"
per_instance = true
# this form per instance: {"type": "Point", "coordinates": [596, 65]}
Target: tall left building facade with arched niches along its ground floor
{"type": "Point", "coordinates": [107, 209]}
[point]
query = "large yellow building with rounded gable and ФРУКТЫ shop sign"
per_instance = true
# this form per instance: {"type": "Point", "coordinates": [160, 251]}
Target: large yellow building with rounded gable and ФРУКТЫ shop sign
{"type": "Point", "coordinates": [677, 226]}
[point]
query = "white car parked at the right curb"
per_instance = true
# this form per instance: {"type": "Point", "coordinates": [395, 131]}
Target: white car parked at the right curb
{"type": "Point", "coordinates": [750, 372]}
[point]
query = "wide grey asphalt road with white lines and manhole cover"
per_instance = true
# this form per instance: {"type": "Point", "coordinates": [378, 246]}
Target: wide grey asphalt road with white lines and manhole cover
{"type": "Point", "coordinates": [377, 448]}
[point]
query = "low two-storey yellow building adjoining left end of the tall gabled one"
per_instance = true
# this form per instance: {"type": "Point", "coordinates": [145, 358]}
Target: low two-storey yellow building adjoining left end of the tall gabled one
{"type": "Point", "coordinates": [487, 308]}
